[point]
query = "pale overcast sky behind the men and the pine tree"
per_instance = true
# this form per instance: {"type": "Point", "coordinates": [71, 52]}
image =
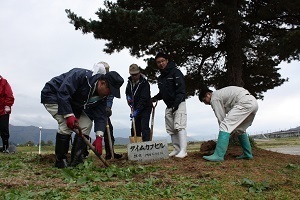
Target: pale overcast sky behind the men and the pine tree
{"type": "Point", "coordinates": [37, 43]}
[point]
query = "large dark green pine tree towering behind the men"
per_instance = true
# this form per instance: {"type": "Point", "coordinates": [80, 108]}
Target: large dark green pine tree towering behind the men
{"type": "Point", "coordinates": [218, 42]}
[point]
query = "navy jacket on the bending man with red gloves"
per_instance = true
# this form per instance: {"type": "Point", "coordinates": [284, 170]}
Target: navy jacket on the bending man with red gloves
{"type": "Point", "coordinates": [72, 91]}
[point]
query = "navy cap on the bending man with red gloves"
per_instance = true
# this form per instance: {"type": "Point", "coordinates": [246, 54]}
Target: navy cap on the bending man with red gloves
{"type": "Point", "coordinates": [115, 81]}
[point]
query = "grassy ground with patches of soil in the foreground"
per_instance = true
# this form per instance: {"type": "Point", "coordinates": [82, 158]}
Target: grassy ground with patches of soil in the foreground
{"type": "Point", "coordinates": [270, 175]}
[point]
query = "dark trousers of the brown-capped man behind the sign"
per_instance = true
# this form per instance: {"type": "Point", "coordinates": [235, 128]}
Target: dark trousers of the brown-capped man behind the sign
{"type": "Point", "coordinates": [142, 125]}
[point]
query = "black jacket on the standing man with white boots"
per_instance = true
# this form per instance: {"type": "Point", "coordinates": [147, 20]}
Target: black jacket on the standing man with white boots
{"type": "Point", "coordinates": [171, 86]}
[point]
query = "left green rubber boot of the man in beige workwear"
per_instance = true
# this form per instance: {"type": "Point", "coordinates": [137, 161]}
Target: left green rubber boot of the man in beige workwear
{"type": "Point", "coordinates": [221, 148]}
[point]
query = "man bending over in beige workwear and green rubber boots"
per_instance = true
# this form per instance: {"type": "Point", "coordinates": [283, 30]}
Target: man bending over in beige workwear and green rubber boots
{"type": "Point", "coordinates": [235, 109]}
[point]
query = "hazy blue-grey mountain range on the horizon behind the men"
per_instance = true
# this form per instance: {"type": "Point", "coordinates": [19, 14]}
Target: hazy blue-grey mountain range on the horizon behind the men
{"type": "Point", "coordinates": [24, 134]}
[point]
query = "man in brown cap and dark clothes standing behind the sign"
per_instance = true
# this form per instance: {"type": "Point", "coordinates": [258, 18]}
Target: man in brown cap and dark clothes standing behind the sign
{"type": "Point", "coordinates": [139, 99]}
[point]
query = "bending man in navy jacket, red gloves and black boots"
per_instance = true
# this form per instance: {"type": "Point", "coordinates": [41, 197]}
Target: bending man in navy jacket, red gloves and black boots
{"type": "Point", "coordinates": [79, 96]}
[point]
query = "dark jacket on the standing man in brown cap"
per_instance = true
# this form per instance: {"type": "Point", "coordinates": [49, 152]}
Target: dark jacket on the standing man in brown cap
{"type": "Point", "coordinates": [140, 93]}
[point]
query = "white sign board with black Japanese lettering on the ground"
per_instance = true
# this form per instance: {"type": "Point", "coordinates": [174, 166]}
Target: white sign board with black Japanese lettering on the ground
{"type": "Point", "coordinates": [148, 151]}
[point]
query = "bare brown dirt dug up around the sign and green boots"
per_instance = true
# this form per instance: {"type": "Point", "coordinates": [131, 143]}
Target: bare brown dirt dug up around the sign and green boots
{"type": "Point", "coordinates": [194, 165]}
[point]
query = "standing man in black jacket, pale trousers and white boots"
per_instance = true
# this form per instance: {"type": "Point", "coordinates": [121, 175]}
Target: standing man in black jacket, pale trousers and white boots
{"type": "Point", "coordinates": [171, 86]}
